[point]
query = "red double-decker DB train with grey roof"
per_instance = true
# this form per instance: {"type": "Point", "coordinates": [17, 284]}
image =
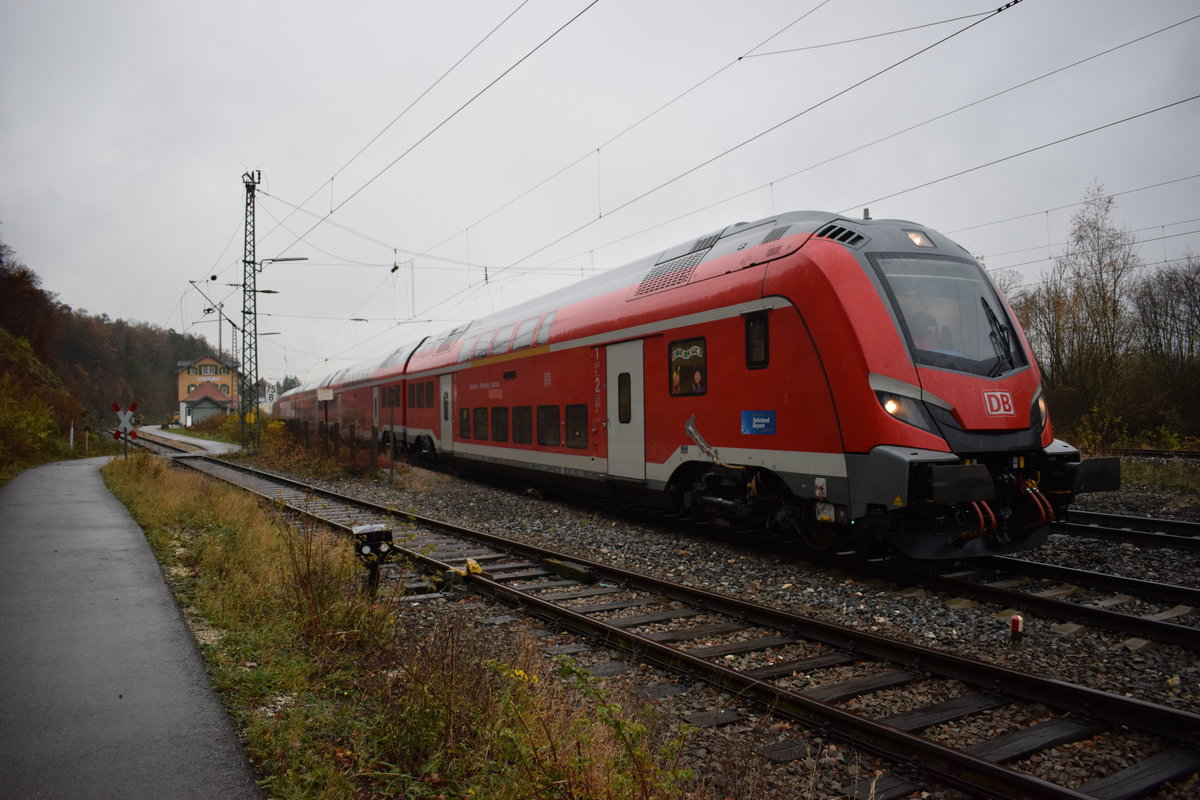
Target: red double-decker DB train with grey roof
{"type": "Point", "coordinates": [847, 380]}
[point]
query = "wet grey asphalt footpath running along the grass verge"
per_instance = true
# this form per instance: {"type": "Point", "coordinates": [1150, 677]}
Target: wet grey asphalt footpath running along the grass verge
{"type": "Point", "coordinates": [103, 689]}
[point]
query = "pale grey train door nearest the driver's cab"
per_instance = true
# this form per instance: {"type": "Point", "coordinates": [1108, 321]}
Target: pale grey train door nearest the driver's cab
{"type": "Point", "coordinates": [627, 406]}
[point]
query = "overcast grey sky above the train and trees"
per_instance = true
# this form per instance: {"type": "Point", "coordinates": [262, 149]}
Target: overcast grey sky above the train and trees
{"type": "Point", "coordinates": [538, 142]}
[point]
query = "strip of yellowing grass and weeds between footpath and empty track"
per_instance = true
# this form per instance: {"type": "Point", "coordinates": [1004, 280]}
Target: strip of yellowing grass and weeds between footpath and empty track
{"type": "Point", "coordinates": [339, 697]}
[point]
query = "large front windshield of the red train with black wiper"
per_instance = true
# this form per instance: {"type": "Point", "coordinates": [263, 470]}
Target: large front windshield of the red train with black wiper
{"type": "Point", "coordinates": [951, 315]}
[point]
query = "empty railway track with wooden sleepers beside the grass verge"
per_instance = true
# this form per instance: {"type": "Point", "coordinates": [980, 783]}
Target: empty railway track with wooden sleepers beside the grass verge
{"type": "Point", "coordinates": [782, 657]}
